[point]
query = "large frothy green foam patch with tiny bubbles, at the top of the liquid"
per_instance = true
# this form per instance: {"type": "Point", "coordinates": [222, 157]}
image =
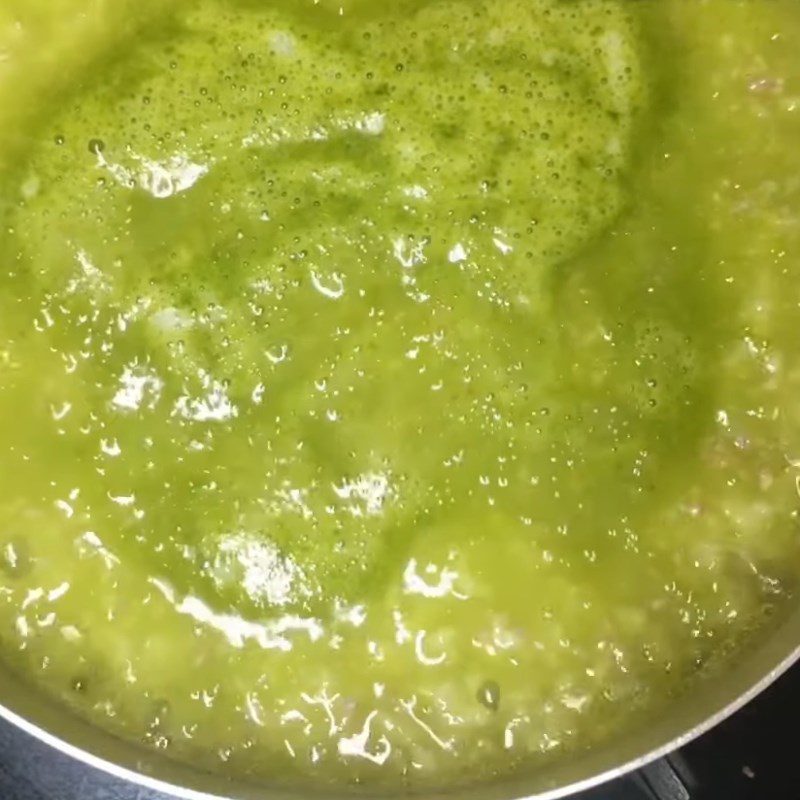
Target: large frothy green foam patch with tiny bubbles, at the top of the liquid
{"type": "Point", "coordinates": [500, 129]}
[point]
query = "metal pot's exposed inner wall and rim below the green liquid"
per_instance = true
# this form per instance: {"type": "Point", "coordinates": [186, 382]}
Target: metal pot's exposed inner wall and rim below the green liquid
{"type": "Point", "coordinates": [716, 691]}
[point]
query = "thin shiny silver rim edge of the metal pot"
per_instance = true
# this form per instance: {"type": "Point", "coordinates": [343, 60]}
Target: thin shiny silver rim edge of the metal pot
{"type": "Point", "coordinates": [186, 793]}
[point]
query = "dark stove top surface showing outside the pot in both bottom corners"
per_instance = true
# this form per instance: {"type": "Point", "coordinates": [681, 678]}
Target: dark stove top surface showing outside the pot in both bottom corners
{"type": "Point", "coordinates": [748, 757]}
